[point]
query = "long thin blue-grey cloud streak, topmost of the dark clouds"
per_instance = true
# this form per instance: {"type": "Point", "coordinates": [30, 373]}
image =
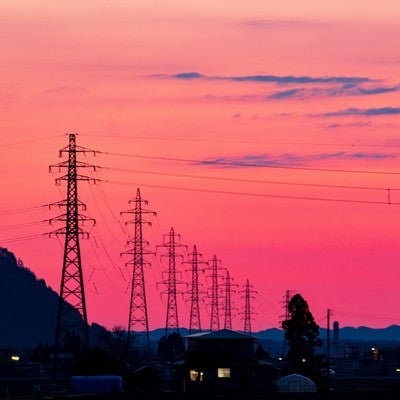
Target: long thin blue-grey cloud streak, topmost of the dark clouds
{"type": "Point", "coordinates": [286, 79]}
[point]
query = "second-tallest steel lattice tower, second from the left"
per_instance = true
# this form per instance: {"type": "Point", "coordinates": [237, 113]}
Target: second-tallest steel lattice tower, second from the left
{"type": "Point", "coordinates": [138, 317]}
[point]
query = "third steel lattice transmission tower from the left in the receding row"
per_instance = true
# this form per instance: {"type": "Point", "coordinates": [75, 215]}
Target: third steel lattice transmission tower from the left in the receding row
{"type": "Point", "coordinates": [171, 241]}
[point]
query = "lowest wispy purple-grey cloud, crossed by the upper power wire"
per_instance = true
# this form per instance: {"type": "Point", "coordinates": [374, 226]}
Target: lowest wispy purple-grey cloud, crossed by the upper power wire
{"type": "Point", "coordinates": [290, 159]}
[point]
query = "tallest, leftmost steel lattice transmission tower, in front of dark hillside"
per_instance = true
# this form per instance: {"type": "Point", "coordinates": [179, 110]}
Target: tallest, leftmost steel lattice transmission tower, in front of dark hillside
{"type": "Point", "coordinates": [72, 291]}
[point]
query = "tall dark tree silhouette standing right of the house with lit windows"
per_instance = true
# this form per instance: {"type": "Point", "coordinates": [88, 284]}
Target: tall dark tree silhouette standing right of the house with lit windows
{"type": "Point", "coordinates": [301, 332]}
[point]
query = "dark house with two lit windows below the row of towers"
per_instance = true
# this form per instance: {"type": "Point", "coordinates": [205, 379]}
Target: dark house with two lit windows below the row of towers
{"type": "Point", "coordinates": [224, 361]}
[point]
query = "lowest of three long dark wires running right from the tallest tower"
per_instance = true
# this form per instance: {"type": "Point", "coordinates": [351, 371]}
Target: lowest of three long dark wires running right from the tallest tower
{"type": "Point", "coordinates": [277, 196]}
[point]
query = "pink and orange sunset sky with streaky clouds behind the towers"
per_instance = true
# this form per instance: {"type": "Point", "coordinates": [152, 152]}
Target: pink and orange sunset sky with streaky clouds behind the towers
{"type": "Point", "coordinates": [266, 133]}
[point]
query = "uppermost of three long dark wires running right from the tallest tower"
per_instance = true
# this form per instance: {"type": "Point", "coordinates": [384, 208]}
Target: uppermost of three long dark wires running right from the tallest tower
{"type": "Point", "coordinates": [243, 164]}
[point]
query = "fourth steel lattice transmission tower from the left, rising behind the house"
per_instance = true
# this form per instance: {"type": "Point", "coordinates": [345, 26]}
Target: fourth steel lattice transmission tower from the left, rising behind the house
{"type": "Point", "coordinates": [195, 320]}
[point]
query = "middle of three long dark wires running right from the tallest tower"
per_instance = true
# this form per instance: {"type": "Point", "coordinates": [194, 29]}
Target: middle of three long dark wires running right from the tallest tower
{"type": "Point", "coordinates": [220, 178]}
